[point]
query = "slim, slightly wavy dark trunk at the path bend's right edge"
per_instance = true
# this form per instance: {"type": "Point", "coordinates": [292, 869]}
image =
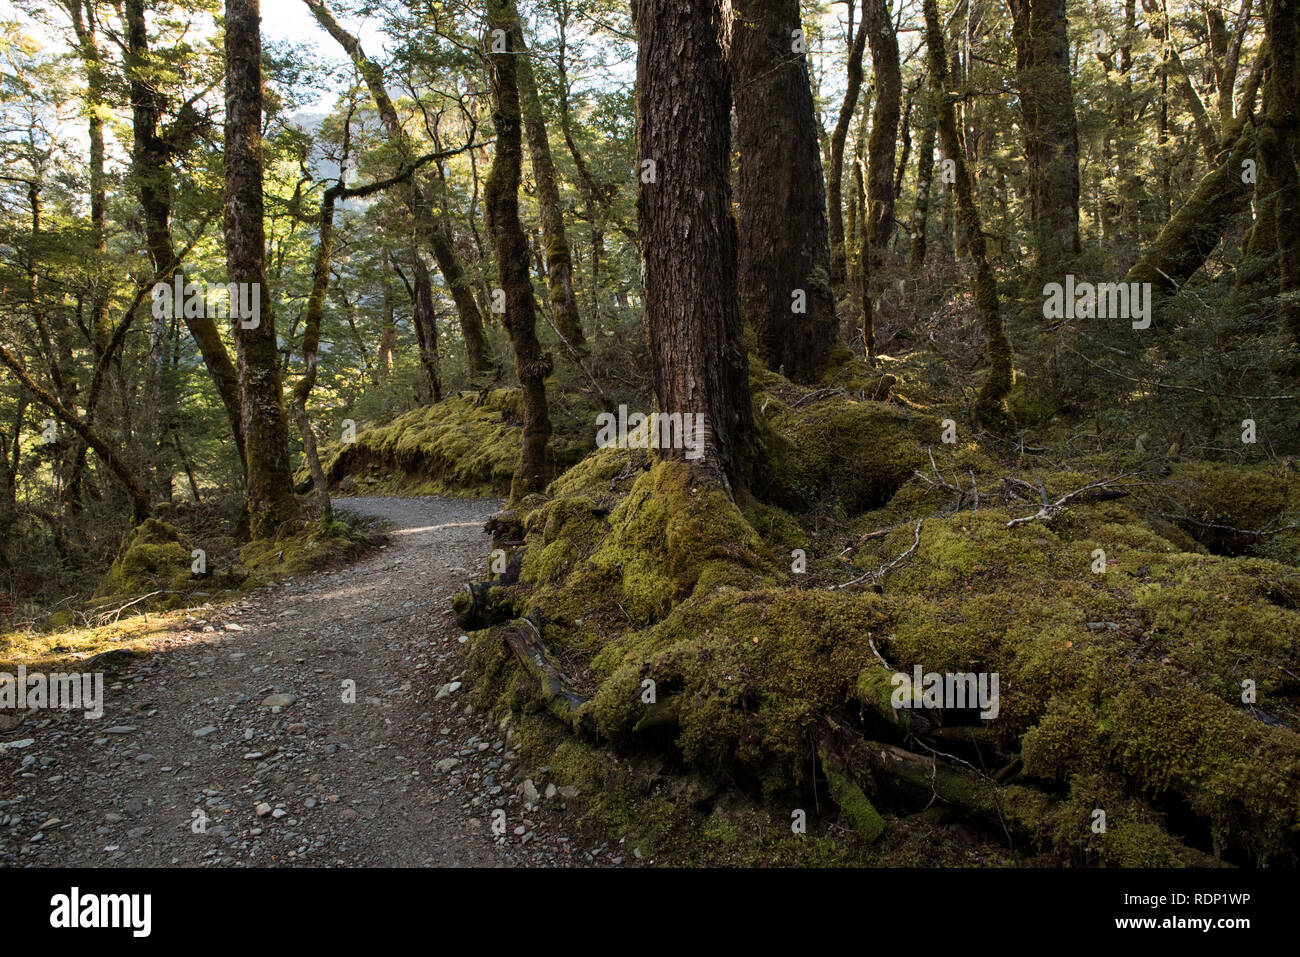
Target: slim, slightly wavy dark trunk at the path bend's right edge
{"type": "Point", "coordinates": [501, 197]}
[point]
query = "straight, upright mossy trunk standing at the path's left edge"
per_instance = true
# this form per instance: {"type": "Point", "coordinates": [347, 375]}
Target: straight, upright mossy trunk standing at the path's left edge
{"type": "Point", "coordinates": [262, 401]}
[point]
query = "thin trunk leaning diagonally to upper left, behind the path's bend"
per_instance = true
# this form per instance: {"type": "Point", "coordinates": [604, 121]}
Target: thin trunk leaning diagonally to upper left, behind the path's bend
{"type": "Point", "coordinates": [428, 229]}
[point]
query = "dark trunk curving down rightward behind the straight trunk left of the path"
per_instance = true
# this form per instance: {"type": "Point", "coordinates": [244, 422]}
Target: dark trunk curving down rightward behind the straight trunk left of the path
{"type": "Point", "coordinates": [154, 183]}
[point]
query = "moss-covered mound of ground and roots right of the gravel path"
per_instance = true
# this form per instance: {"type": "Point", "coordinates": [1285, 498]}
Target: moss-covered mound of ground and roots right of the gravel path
{"type": "Point", "coordinates": [734, 659]}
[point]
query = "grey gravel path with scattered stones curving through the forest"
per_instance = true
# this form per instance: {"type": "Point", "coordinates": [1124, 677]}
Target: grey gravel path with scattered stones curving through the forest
{"type": "Point", "coordinates": [231, 742]}
